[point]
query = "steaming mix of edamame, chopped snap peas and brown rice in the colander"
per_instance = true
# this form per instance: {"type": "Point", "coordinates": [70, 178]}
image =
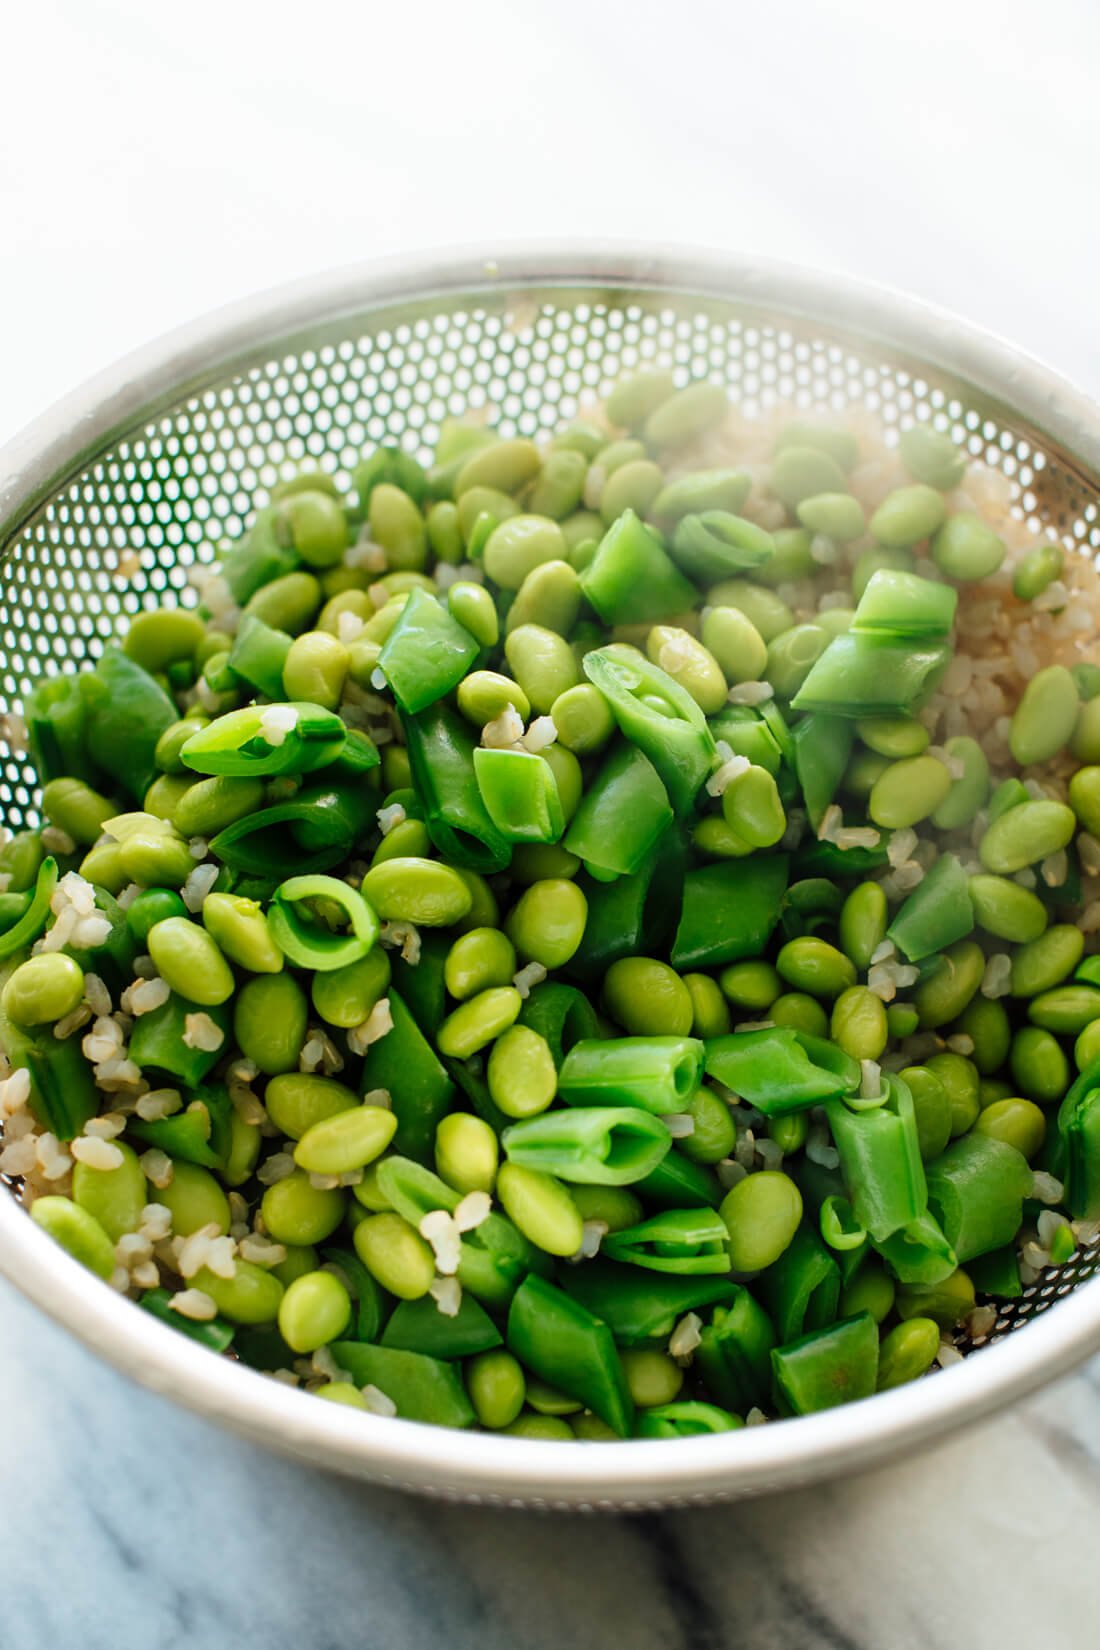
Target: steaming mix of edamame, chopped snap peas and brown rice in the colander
{"type": "Point", "coordinates": [515, 956]}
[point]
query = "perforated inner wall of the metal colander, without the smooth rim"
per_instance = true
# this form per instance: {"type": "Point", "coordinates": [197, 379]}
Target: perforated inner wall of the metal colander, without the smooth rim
{"type": "Point", "coordinates": [121, 534]}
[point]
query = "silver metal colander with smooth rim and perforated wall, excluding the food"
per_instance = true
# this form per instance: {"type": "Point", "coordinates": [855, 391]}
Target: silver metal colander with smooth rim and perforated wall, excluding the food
{"type": "Point", "coordinates": [108, 502]}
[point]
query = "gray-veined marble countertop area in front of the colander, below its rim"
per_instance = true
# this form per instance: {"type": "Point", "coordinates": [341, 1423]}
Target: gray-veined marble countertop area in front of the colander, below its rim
{"type": "Point", "coordinates": [129, 1525]}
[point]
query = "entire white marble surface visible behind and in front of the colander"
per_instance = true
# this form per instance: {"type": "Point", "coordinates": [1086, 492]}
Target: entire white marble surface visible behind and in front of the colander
{"type": "Point", "coordinates": [161, 161]}
